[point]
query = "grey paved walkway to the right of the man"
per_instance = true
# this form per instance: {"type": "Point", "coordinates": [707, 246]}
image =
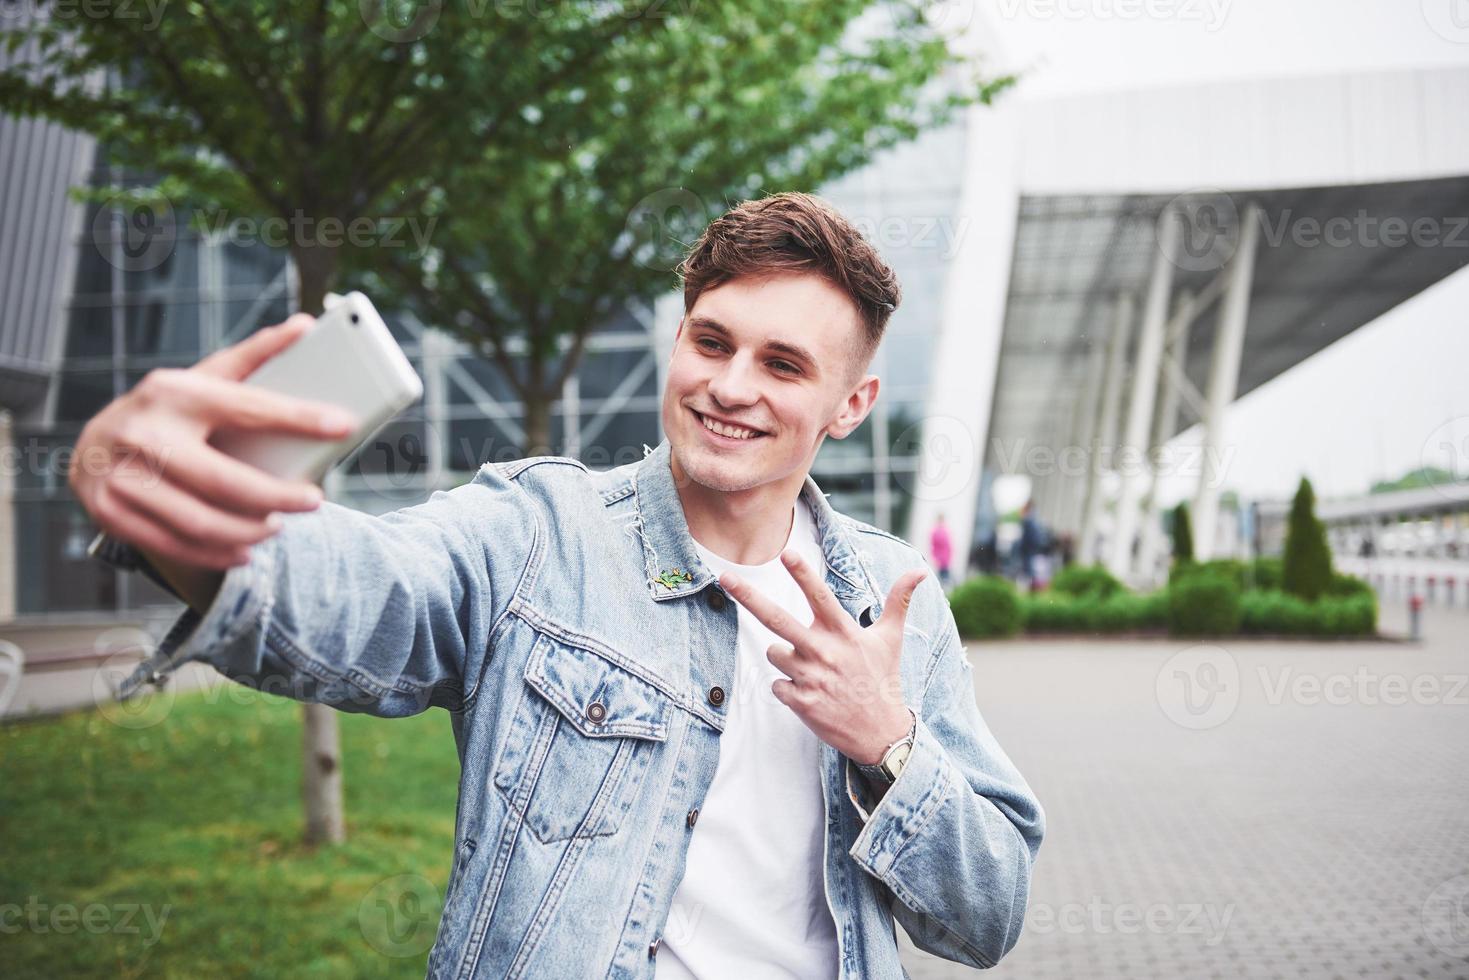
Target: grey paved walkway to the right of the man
{"type": "Point", "coordinates": [1241, 810]}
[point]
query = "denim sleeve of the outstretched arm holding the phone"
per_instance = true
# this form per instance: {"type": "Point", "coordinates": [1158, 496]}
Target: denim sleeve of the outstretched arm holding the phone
{"type": "Point", "coordinates": [383, 616]}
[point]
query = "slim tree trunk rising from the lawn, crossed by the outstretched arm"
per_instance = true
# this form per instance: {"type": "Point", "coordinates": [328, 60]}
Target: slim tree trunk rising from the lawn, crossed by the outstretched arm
{"type": "Point", "coordinates": [322, 750]}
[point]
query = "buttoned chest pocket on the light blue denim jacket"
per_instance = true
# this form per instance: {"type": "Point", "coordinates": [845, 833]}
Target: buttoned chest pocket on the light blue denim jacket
{"type": "Point", "coordinates": [580, 744]}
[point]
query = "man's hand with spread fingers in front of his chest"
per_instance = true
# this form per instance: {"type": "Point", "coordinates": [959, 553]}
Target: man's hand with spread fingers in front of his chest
{"type": "Point", "coordinates": [844, 681]}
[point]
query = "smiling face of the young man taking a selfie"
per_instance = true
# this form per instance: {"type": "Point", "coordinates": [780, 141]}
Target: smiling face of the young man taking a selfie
{"type": "Point", "coordinates": [776, 356]}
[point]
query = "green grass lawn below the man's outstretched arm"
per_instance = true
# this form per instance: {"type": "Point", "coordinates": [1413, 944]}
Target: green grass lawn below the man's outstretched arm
{"type": "Point", "coordinates": [176, 850]}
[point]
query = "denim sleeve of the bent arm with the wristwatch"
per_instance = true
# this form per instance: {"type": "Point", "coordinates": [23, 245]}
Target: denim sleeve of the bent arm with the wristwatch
{"type": "Point", "coordinates": [957, 834]}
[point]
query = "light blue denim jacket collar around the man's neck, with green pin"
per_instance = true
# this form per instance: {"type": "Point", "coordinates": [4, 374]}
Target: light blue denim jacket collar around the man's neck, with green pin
{"type": "Point", "coordinates": [669, 546]}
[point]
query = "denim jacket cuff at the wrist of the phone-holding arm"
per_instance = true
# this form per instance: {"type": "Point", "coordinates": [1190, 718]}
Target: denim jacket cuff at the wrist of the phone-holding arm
{"type": "Point", "coordinates": [236, 608]}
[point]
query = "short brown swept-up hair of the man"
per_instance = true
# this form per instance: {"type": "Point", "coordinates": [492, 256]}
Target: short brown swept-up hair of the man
{"type": "Point", "coordinates": [794, 234]}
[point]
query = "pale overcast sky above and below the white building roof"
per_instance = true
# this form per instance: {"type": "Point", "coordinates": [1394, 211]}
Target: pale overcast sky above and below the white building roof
{"type": "Point", "coordinates": [1395, 394]}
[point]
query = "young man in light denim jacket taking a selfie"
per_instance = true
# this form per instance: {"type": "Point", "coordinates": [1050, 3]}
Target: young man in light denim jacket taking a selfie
{"type": "Point", "coordinates": [709, 727]}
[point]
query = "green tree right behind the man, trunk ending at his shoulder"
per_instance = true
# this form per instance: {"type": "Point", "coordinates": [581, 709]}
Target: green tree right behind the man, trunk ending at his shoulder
{"type": "Point", "coordinates": [587, 205]}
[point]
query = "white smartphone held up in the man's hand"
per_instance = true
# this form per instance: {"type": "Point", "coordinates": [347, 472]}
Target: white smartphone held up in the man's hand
{"type": "Point", "coordinates": [347, 359]}
